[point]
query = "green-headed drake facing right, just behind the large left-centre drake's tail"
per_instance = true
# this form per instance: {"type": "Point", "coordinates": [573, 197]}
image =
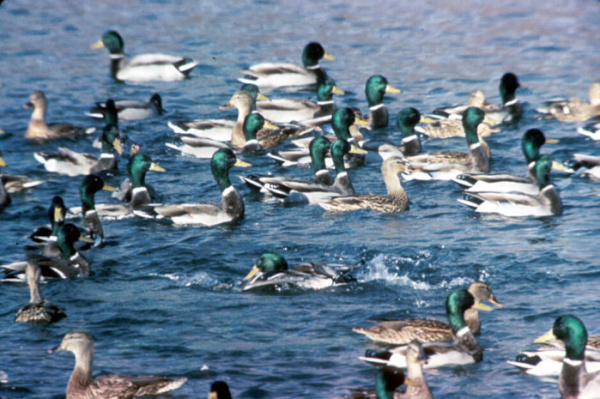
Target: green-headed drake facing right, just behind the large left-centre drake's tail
{"type": "Point", "coordinates": [135, 191]}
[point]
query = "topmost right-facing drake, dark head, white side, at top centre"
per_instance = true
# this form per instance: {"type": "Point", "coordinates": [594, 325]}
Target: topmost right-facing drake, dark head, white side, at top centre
{"type": "Point", "coordinates": [275, 75]}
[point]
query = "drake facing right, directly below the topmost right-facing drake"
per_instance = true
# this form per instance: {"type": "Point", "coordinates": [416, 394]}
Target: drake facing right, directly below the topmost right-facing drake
{"type": "Point", "coordinates": [304, 112]}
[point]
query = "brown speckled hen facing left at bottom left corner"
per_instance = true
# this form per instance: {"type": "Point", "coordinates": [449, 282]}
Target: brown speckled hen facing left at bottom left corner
{"type": "Point", "coordinates": [83, 385]}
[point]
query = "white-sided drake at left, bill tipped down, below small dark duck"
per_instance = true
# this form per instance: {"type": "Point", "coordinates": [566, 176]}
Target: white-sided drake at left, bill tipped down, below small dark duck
{"type": "Point", "coordinates": [71, 163]}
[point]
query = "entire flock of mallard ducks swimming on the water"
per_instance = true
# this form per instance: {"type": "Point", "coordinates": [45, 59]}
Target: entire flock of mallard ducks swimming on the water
{"type": "Point", "coordinates": [296, 132]}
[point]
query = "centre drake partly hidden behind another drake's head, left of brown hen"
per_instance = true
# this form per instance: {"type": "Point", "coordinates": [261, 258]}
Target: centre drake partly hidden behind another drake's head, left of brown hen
{"type": "Point", "coordinates": [319, 146]}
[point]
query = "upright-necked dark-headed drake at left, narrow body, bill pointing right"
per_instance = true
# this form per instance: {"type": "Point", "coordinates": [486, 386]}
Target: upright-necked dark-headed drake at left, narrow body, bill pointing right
{"type": "Point", "coordinates": [90, 221]}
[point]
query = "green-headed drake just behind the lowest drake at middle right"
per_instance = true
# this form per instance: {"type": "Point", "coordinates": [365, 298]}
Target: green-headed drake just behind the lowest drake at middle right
{"type": "Point", "coordinates": [531, 142]}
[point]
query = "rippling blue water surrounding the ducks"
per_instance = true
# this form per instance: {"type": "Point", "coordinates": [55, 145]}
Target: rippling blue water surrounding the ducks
{"type": "Point", "coordinates": [164, 299]}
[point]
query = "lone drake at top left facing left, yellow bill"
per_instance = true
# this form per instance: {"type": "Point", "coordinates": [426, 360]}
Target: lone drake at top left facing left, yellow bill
{"type": "Point", "coordinates": [145, 67]}
